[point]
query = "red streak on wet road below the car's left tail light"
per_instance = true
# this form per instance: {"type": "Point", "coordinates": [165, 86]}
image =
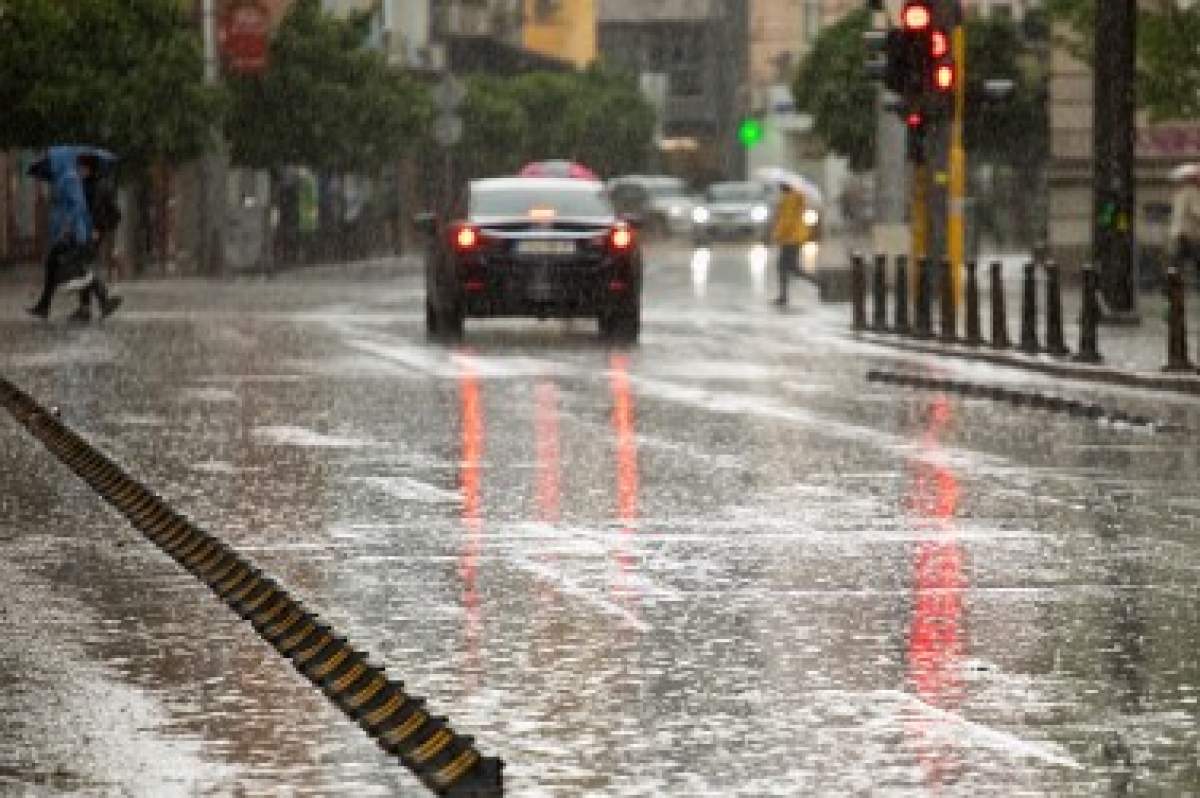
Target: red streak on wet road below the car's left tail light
{"type": "Point", "coordinates": [471, 471]}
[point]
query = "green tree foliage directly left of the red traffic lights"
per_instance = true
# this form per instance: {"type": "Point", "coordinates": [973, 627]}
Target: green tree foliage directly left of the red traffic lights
{"type": "Point", "coordinates": [832, 86]}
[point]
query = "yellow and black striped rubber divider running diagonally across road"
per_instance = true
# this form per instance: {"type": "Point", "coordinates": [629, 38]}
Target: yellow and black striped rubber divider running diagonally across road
{"type": "Point", "coordinates": [445, 761]}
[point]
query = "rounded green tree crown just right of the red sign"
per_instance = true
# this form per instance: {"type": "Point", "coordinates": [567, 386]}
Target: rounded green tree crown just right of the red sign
{"type": "Point", "coordinates": [325, 101]}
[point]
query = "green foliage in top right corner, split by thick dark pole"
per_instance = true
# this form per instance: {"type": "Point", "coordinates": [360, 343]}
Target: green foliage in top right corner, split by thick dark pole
{"type": "Point", "coordinates": [1168, 52]}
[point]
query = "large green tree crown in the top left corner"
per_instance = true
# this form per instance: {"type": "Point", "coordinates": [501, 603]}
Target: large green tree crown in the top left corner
{"type": "Point", "coordinates": [127, 75]}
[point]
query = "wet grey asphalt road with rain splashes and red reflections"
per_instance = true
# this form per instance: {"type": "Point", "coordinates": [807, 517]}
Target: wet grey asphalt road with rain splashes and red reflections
{"type": "Point", "coordinates": [717, 565]}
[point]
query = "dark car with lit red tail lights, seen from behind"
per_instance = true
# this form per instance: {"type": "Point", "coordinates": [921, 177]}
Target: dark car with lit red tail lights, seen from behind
{"type": "Point", "coordinates": [544, 248]}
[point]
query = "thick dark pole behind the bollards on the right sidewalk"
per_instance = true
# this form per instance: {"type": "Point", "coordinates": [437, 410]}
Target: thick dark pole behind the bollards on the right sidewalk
{"type": "Point", "coordinates": [1114, 195]}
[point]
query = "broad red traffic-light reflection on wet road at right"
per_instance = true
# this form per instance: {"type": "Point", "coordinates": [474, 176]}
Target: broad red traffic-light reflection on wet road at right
{"type": "Point", "coordinates": [937, 640]}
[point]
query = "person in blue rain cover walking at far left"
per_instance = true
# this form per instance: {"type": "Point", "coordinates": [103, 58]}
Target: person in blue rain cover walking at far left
{"type": "Point", "coordinates": [71, 243]}
